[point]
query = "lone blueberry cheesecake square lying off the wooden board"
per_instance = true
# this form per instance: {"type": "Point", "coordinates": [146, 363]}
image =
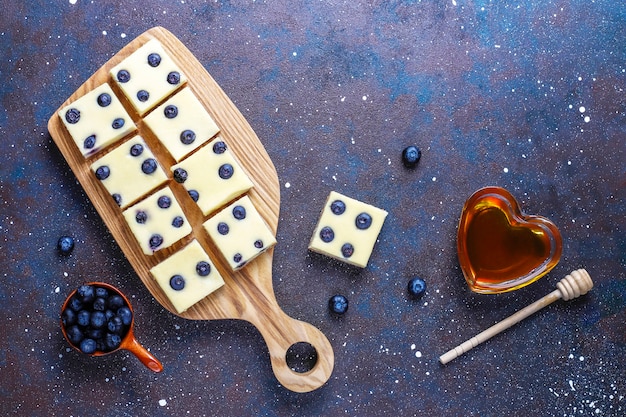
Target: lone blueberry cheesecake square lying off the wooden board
{"type": "Point", "coordinates": [347, 229]}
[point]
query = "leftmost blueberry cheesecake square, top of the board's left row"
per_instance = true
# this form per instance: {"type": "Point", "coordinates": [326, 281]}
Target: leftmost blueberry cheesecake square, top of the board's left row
{"type": "Point", "coordinates": [96, 120]}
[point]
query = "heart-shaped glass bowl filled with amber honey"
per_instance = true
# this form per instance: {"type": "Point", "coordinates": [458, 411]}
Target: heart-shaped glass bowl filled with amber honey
{"type": "Point", "coordinates": [501, 249]}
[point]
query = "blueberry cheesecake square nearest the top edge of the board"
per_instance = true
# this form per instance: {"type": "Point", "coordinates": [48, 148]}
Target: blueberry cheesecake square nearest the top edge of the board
{"type": "Point", "coordinates": [147, 76]}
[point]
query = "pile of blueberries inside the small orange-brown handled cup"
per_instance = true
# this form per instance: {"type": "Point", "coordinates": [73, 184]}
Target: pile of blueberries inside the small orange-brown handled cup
{"type": "Point", "coordinates": [96, 319]}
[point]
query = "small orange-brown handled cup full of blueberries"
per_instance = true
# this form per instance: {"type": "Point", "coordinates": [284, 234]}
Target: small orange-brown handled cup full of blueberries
{"type": "Point", "coordinates": [97, 319]}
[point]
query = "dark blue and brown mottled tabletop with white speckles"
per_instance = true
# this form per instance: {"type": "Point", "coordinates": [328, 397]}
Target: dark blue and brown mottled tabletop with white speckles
{"type": "Point", "coordinates": [491, 93]}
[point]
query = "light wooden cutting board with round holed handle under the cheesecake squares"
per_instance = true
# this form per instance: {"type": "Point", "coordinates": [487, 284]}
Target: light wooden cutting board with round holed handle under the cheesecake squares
{"type": "Point", "coordinates": [248, 293]}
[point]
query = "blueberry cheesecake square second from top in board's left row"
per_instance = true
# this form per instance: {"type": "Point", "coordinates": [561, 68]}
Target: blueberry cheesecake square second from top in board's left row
{"type": "Point", "coordinates": [129, 172]}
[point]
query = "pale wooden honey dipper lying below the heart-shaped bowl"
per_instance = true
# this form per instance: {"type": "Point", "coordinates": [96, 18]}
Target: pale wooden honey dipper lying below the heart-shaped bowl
{"type": "Point", "coordinates": [572, 286]}
